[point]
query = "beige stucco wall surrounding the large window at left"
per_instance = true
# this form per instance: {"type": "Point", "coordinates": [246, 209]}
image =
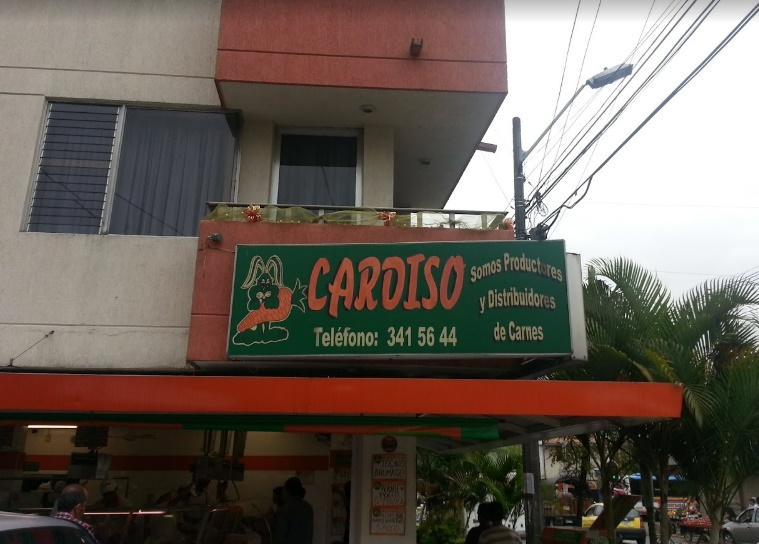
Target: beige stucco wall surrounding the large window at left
{"type": "Point", "coordinates": [113, 301]}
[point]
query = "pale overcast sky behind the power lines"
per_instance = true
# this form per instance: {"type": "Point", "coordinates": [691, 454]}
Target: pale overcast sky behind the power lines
{"type": "Point", "coordinates": [682, 197]}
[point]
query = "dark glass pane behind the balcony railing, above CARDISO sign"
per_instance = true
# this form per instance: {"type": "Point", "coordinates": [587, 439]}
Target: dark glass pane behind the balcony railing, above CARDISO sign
{"type": "Point", "coordinates": [317, 170]}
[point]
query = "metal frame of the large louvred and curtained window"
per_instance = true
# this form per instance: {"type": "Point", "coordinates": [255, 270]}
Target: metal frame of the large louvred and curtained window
{"type": "Point", "coordinates": [105, 217]}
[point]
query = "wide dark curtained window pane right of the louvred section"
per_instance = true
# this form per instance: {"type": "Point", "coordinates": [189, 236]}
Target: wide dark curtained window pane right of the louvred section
{"type": "Point", "coordinates": [171, 164]}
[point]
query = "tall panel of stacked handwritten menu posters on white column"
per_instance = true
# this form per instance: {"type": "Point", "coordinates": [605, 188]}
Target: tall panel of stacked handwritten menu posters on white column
{"type": "Point", "coordinates": [388, 515]}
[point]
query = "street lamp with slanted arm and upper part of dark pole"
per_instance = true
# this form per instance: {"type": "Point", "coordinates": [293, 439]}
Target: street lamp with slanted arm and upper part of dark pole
{"type": "Point", "coordinates": [609, 75]}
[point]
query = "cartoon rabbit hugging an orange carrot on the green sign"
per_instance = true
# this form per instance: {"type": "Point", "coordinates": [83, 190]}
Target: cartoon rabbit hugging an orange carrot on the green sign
{"type": "Point", "coordinates": [269, 302]}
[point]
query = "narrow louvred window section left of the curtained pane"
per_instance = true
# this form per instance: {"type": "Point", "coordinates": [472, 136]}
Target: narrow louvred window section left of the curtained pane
{"type": "Point", "coordinates": [75, 164]}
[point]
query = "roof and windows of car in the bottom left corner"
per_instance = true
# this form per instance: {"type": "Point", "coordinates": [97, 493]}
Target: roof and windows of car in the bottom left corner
{"type": "Point", "coordinates": [33, 529]}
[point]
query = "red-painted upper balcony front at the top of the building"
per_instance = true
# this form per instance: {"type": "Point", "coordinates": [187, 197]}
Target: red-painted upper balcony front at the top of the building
{"type": "Point", "coordinates": [364, 43]}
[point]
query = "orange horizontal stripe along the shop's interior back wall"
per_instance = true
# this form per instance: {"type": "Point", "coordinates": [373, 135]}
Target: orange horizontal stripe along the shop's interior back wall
{"type": "Point", "coordinates": [183, 462]}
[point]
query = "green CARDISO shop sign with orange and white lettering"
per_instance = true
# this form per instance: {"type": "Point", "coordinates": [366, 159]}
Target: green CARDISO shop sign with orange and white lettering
{"type": "Point", "coordinates": [410, 300]}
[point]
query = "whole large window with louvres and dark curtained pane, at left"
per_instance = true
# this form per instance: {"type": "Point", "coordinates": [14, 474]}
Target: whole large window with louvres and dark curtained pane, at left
{"type": "Point", "coordinates": [126, 170]}
